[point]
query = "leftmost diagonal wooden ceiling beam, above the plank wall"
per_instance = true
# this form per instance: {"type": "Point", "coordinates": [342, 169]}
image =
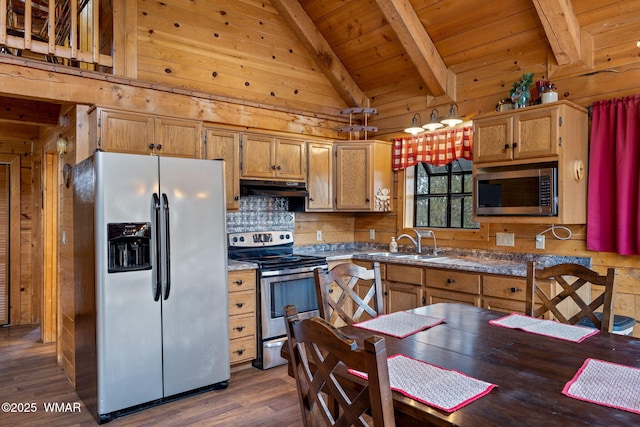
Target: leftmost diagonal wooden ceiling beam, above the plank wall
{"type": "Point", "coordinates": [329, 63]}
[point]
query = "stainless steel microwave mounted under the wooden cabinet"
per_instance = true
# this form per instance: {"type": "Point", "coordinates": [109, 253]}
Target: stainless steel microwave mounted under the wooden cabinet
{"type": "Point", "coordinates": [522, 192]}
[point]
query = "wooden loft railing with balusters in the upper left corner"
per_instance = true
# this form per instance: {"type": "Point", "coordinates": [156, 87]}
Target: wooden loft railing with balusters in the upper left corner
{"type": "Point", "coordinates": [60, 31]}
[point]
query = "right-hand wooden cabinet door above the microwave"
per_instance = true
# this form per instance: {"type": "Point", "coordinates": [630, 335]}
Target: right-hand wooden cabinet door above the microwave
{"type": "Point", "coordinates": [535, 133]}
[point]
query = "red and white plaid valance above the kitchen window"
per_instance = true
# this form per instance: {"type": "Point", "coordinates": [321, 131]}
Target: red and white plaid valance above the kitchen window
{"type": "Point", "coordinates": [437, 148]}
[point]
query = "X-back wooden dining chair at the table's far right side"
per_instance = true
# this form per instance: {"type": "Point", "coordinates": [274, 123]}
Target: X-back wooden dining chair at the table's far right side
{"type": "Point", "coordinates": [572, 278]}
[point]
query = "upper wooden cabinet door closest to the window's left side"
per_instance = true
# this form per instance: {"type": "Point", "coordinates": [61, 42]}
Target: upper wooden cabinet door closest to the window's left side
{"type": "Point", "coordinates": [353, 177]}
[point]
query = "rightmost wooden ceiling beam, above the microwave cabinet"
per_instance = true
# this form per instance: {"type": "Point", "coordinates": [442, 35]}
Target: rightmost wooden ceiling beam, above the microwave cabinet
{"type": "Point", "coordinates": [569, 43]}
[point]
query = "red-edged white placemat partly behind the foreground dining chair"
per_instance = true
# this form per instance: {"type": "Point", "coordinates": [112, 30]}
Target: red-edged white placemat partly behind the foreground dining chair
{"type": "Point", "coordinates": [434, 386]}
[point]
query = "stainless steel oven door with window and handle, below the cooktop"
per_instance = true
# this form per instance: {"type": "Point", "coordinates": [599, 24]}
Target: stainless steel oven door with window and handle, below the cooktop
{"type": "Point", "coordinates": [281, 288]}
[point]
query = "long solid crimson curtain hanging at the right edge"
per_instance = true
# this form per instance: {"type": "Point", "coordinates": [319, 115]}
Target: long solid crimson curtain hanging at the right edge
{"type": "Point", "coordinates": [613, 218]}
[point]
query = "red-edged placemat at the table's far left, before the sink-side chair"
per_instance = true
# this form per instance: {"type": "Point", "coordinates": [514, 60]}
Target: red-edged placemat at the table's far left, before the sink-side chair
{"type": "Point", "coordinates": [399, 324]}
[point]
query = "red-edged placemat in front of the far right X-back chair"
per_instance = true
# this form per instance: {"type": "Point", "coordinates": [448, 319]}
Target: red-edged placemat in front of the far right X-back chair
{"type": "Point", "coordinates": [549, 328]}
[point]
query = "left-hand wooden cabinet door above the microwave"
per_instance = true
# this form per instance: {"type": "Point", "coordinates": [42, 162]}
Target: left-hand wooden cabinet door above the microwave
{"type": "Point", "coordinates": [494, 138]}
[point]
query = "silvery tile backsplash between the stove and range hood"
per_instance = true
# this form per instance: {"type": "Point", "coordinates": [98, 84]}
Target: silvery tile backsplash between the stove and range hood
{"type": "Point", "coordinates": [261, 213]}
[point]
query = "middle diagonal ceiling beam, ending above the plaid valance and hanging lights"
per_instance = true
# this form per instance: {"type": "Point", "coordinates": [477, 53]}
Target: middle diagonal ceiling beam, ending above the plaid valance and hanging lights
{"type": "Point", "coordinates": [419, 46]}
